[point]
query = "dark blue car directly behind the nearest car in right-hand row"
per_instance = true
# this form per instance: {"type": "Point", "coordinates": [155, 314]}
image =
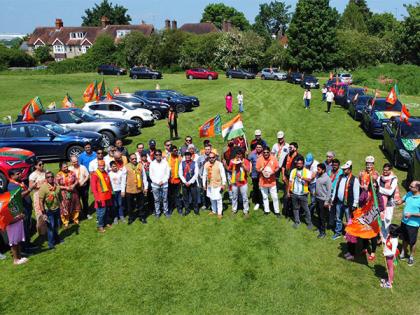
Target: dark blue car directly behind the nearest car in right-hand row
{"type": "Point", "coordinates": [375, 117]}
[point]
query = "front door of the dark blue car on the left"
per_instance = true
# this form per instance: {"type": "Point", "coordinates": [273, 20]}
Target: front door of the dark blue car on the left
{"type": "Point", "coordinates": [46, 142]}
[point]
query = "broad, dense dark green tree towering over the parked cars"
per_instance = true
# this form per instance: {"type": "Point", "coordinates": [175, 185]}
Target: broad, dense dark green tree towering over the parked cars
{"type": "Point", "coordinates": [312, 35]}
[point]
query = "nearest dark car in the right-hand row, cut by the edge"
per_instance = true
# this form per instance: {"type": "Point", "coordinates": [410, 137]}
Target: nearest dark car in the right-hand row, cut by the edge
{"type": "Point", "coordinates": [400, 140]}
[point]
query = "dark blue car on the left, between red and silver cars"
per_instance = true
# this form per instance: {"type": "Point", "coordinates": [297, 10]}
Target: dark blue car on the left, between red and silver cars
{"type": "Point", "coordinates": [47, 140]}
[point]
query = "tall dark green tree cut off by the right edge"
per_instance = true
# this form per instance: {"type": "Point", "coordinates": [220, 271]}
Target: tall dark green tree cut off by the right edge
{"type": "Point", "coordinates": [408, 40]}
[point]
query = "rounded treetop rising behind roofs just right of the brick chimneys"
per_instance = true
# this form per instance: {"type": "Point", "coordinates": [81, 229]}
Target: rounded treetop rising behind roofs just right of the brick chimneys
{"type": "Point", "coordinates": [218, 12]}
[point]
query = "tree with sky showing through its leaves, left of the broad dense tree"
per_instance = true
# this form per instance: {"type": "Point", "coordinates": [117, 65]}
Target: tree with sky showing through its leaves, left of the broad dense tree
{"type": "Point", "coordinates": [272, 18]}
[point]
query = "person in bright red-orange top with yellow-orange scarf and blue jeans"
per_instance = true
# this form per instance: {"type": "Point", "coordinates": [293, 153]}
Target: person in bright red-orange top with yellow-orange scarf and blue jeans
{"type": "Point", "coordinates": [102, 192]}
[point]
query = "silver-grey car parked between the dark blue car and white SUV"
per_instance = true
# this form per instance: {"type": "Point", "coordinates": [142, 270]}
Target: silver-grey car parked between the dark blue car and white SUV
{"type": "Point", "coordinates": [77, 119]}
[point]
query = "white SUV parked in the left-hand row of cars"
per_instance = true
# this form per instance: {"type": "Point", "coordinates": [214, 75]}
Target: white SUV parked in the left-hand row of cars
{"type": "Point", "coordinates": [117, 109]}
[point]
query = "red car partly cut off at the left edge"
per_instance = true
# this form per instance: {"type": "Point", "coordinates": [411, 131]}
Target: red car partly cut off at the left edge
{"type": "Point", "coordinates": [14, 158]}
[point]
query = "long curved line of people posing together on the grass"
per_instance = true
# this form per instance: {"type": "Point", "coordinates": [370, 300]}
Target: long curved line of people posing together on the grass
{"type": "Point", "coordinates": [151, 181]}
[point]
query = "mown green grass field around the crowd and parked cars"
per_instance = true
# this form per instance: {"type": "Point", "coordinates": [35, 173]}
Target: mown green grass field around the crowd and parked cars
{"type": "Point", "coordinates": [198, 264]}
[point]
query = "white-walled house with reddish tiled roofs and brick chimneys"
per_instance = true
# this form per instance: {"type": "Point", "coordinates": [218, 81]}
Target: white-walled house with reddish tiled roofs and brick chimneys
{"type": "Point", "coordinates": [70, 42]}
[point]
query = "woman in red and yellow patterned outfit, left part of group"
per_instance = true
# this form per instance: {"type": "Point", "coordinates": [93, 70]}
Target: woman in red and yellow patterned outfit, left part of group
{"type": "Point", "coordinates": [70, 201]}
